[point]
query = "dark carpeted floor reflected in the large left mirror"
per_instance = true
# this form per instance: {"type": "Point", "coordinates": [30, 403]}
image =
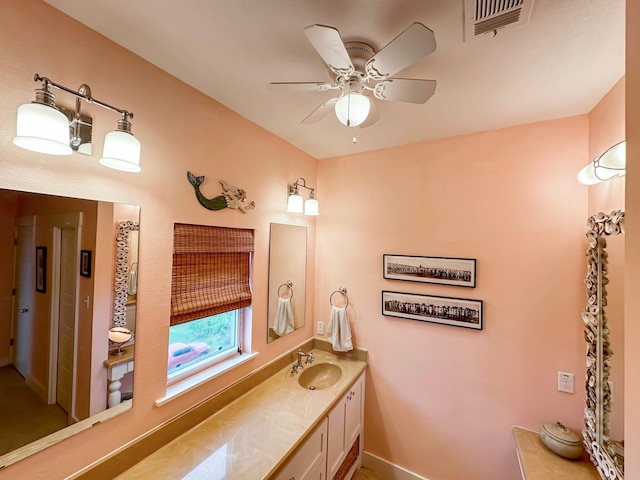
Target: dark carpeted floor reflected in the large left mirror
{"type": "Point", "coordinates": [23, 416]}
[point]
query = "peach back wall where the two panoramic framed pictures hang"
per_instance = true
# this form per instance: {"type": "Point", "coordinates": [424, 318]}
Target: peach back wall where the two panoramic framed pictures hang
{"type": "Point", "coordinates": [441, 401]}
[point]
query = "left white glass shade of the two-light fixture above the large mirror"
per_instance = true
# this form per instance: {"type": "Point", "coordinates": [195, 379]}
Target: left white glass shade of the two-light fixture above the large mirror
{"type": "Point", "coordinates": [41, 128]}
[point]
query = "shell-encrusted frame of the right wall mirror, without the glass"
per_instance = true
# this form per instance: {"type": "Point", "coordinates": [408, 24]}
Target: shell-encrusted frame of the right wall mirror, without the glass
{"type": "Point", "coordinates": [606, 454]}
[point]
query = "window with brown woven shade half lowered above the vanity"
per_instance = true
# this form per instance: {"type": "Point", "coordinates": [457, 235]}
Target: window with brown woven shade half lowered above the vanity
{"type": "Point", "coordinates": [210, 288]}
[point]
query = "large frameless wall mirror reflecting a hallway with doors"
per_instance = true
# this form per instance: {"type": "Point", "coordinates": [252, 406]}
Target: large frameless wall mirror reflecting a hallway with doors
{"type": "Point", "coordinates": [57, 301]}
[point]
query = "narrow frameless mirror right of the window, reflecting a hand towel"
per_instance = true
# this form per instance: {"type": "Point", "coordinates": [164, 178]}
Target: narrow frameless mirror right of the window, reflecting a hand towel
{"type": "Point", "coordinates": [287, 279]}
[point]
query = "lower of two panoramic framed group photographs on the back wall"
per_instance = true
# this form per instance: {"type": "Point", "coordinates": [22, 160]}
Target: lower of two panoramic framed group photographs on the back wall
{"type": "Point", "coordinates": [458, 312]}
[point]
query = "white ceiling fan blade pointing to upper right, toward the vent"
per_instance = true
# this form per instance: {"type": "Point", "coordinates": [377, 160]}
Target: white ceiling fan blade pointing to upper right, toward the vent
{"type": "Point", "coordinates": [415, 42]}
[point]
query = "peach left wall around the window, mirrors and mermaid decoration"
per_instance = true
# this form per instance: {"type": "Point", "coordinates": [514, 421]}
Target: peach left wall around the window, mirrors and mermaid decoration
{"type": "Point", "coordinates": [180, 129]}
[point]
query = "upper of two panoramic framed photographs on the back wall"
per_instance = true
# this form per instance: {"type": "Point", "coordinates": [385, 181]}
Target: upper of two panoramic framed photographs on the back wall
{"type": "Point", "coordinates": [460, 272]}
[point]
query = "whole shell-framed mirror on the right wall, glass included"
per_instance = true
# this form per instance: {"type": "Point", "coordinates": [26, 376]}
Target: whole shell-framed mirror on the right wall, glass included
{"type": "Point", "coordinates": [604, 332]}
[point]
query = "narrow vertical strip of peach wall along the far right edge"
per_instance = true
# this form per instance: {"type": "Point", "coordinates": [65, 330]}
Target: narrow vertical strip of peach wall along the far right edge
{"type": "Point", "coordinates": [632, 240]}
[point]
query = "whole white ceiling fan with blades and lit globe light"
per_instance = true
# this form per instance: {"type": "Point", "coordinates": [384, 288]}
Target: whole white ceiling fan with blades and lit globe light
{"type": "Point", "coordinates": [361, 72]}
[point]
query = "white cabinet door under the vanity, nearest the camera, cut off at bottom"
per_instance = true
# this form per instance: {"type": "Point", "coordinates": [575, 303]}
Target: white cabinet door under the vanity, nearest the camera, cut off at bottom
{"type": "Point", "coordinates": [309, 462]}
